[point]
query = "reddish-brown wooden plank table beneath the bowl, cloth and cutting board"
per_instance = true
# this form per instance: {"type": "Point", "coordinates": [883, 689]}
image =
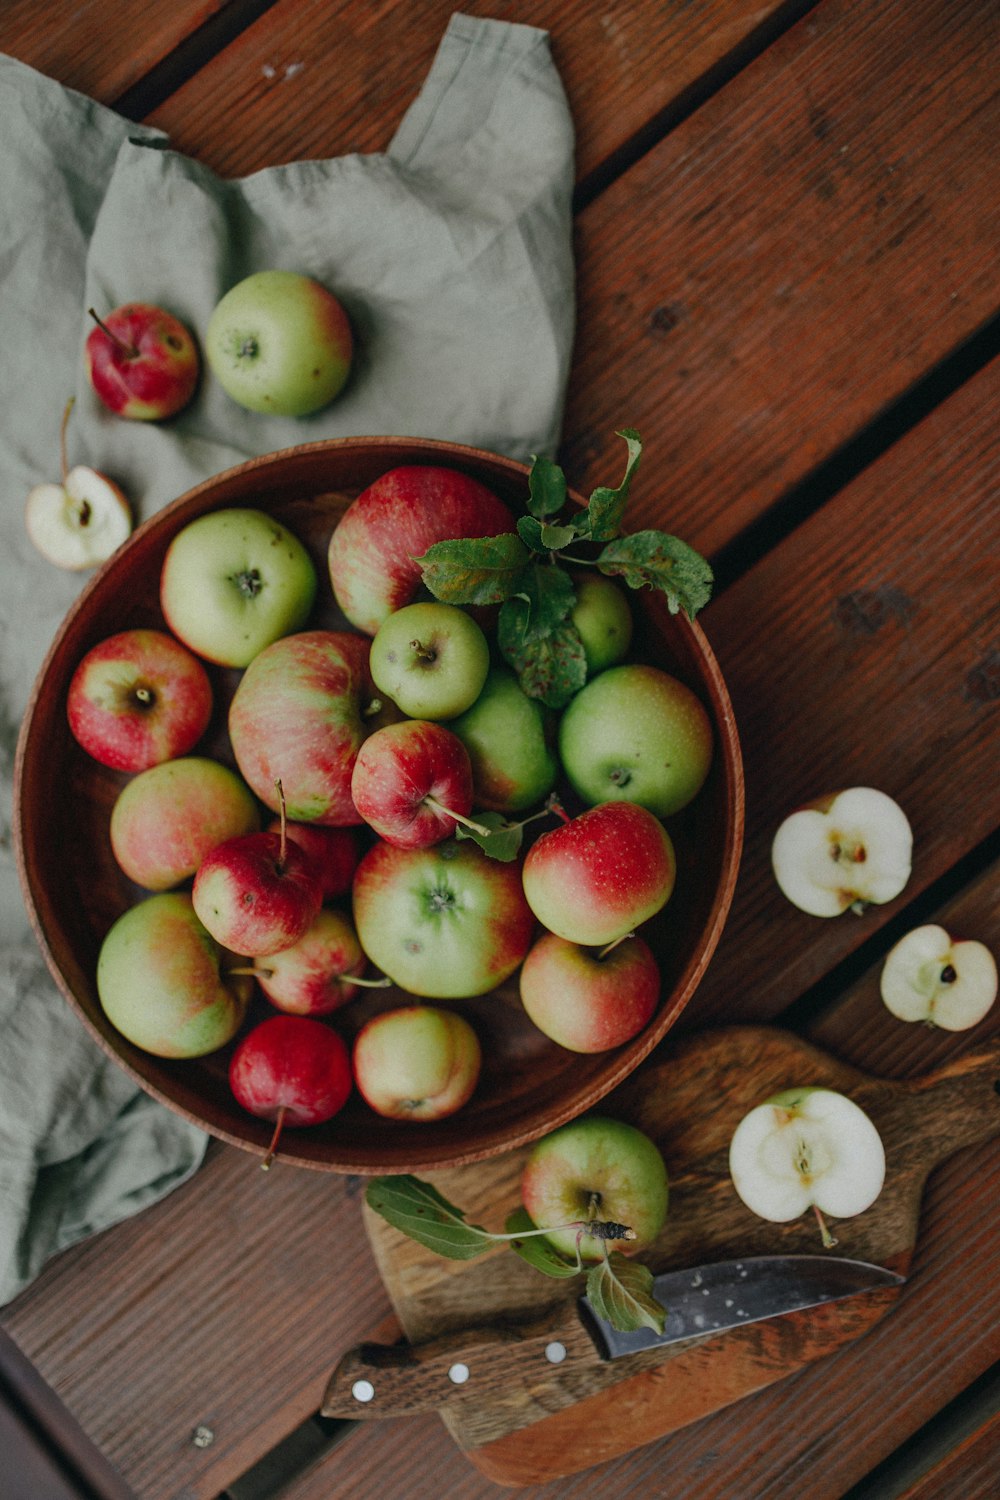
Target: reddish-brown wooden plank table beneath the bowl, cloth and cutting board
{"type": "Point", "coordinates": [788, 229]}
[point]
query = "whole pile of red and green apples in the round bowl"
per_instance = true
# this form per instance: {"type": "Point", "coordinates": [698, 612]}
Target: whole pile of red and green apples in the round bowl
{"type": "Point", "coordinates": [350, 820]}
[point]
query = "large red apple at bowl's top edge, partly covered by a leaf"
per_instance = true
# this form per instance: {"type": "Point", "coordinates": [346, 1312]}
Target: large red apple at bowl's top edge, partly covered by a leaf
{"type": "Point", "coordinates": [392, 524]}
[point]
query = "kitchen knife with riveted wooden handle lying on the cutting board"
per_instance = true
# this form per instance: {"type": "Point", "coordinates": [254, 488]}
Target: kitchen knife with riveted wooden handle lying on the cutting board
{"type": "Point", "coordinates": [702, 1303]}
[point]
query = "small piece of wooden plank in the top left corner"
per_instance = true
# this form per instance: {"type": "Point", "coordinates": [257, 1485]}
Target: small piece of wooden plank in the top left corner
{"type": "Point", "coordinates": [109, 46]}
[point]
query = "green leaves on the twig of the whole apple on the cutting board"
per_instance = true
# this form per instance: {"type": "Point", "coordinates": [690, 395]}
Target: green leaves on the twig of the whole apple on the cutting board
{"type": "Point", "coordinates": [620, 1289]}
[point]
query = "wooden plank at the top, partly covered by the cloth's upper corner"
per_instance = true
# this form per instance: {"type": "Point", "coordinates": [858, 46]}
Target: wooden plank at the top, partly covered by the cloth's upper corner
{"type": "Point", "coordinates": [314, 82]}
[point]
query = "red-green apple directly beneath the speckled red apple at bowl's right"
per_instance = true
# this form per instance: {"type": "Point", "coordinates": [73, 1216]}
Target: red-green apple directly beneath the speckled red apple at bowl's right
{"type": "Point", "coordinates": [590, 1000]}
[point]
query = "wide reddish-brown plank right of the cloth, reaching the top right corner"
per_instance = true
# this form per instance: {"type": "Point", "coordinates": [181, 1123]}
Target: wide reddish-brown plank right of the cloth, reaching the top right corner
{"type": "Point", "coordinates": [789, 262]}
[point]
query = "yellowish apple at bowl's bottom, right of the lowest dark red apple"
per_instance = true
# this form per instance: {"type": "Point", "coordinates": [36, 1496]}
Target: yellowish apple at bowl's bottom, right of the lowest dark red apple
{"type": "Point", "coordinates": [419, 1063]}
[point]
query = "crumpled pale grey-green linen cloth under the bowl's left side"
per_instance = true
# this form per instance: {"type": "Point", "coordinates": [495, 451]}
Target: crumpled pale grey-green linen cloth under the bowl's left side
{"type": "Point", "coordinates": [454, 257]}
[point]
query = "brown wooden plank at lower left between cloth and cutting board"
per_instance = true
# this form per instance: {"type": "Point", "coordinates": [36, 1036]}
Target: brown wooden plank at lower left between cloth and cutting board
{"type": "Point", "coordinates": [218, 1309]}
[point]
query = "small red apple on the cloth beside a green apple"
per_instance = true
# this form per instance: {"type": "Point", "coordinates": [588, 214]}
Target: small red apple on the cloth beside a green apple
{"type": "Point", "coordinates": [142, 362]}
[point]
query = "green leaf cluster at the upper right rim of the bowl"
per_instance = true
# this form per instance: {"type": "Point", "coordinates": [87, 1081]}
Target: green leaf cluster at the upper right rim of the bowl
{"type": "Point", "coordinates": [527, 574]}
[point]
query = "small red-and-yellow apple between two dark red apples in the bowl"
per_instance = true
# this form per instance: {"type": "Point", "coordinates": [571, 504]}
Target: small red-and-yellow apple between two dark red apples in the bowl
{"type": "Point", "coordinates": [314, 976]}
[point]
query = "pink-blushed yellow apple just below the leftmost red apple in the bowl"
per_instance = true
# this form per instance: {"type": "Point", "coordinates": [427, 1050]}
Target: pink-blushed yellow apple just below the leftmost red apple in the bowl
{"type": "Point", "coordinates": [166, 820]}
